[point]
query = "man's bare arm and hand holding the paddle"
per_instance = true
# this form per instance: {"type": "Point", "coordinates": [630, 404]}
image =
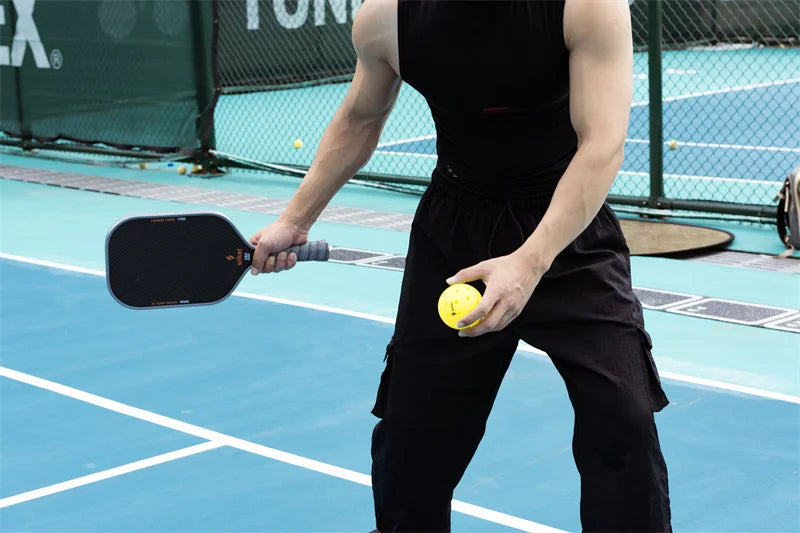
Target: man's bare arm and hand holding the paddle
{"type": "Point", "coordinates": [349, 140]}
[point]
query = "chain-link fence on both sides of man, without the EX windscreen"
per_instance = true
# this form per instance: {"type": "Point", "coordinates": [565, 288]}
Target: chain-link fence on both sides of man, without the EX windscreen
{"type": "Point", "coordinates": [730, 83]}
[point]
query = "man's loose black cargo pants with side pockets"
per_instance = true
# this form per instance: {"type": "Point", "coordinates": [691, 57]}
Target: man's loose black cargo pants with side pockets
{"type": "Point", "coordinates": [437, 389]}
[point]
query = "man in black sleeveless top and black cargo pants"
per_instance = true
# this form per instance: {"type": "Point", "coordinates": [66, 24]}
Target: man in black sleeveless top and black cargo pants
{"type": "Point", "coordinates": [530, 100]}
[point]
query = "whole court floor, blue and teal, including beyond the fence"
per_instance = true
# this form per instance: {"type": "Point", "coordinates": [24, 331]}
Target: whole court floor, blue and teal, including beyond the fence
{"type": "Point", "coordinates": [254, 415]}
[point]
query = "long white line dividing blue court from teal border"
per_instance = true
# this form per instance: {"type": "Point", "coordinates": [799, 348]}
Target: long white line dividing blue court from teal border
{"type": "Point", "coordinates": [385, 320]}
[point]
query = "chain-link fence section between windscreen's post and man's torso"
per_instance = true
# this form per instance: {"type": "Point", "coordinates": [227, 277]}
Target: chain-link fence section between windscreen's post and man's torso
{"type": "Point", "coordinates": [284, 68]}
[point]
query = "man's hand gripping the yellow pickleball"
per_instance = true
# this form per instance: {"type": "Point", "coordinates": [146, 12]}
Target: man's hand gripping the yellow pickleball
{"type": "Point", "coordinates": [510, 281]}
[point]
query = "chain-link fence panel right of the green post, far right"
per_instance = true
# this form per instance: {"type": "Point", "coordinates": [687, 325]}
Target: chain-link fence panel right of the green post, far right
{"type": "Point", "coordinates": [731, 99]}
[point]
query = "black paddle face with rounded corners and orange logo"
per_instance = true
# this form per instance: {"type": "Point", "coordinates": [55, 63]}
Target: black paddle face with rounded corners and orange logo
{"type": "Point", "coordinates": [174, 260]}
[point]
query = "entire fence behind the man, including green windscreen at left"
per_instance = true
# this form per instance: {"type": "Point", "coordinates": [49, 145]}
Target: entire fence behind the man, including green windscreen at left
{"type": "Point", "coordinates": [148, 75]}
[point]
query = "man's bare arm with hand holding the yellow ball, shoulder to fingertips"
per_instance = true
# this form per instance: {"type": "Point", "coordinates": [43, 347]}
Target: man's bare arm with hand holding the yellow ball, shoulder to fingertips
{"type": "Point", "coordinates": [598, 36]}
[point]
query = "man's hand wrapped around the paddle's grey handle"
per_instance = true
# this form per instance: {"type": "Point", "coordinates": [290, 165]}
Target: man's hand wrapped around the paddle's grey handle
{"type": "Point", "coordinates": [271, 243]}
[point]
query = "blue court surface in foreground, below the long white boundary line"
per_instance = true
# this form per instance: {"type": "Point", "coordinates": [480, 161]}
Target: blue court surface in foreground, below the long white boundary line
{"type": "Point", "coordinates": [265, 408]}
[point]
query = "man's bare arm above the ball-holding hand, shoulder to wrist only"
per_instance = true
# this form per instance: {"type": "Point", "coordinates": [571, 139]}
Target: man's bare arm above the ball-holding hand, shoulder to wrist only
{"type": "Point", "coordinates": [598, 35]}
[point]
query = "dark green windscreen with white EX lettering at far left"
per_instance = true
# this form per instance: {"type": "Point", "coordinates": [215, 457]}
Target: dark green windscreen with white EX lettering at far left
{"type": "Point", "coordinates": [121, 73]}
